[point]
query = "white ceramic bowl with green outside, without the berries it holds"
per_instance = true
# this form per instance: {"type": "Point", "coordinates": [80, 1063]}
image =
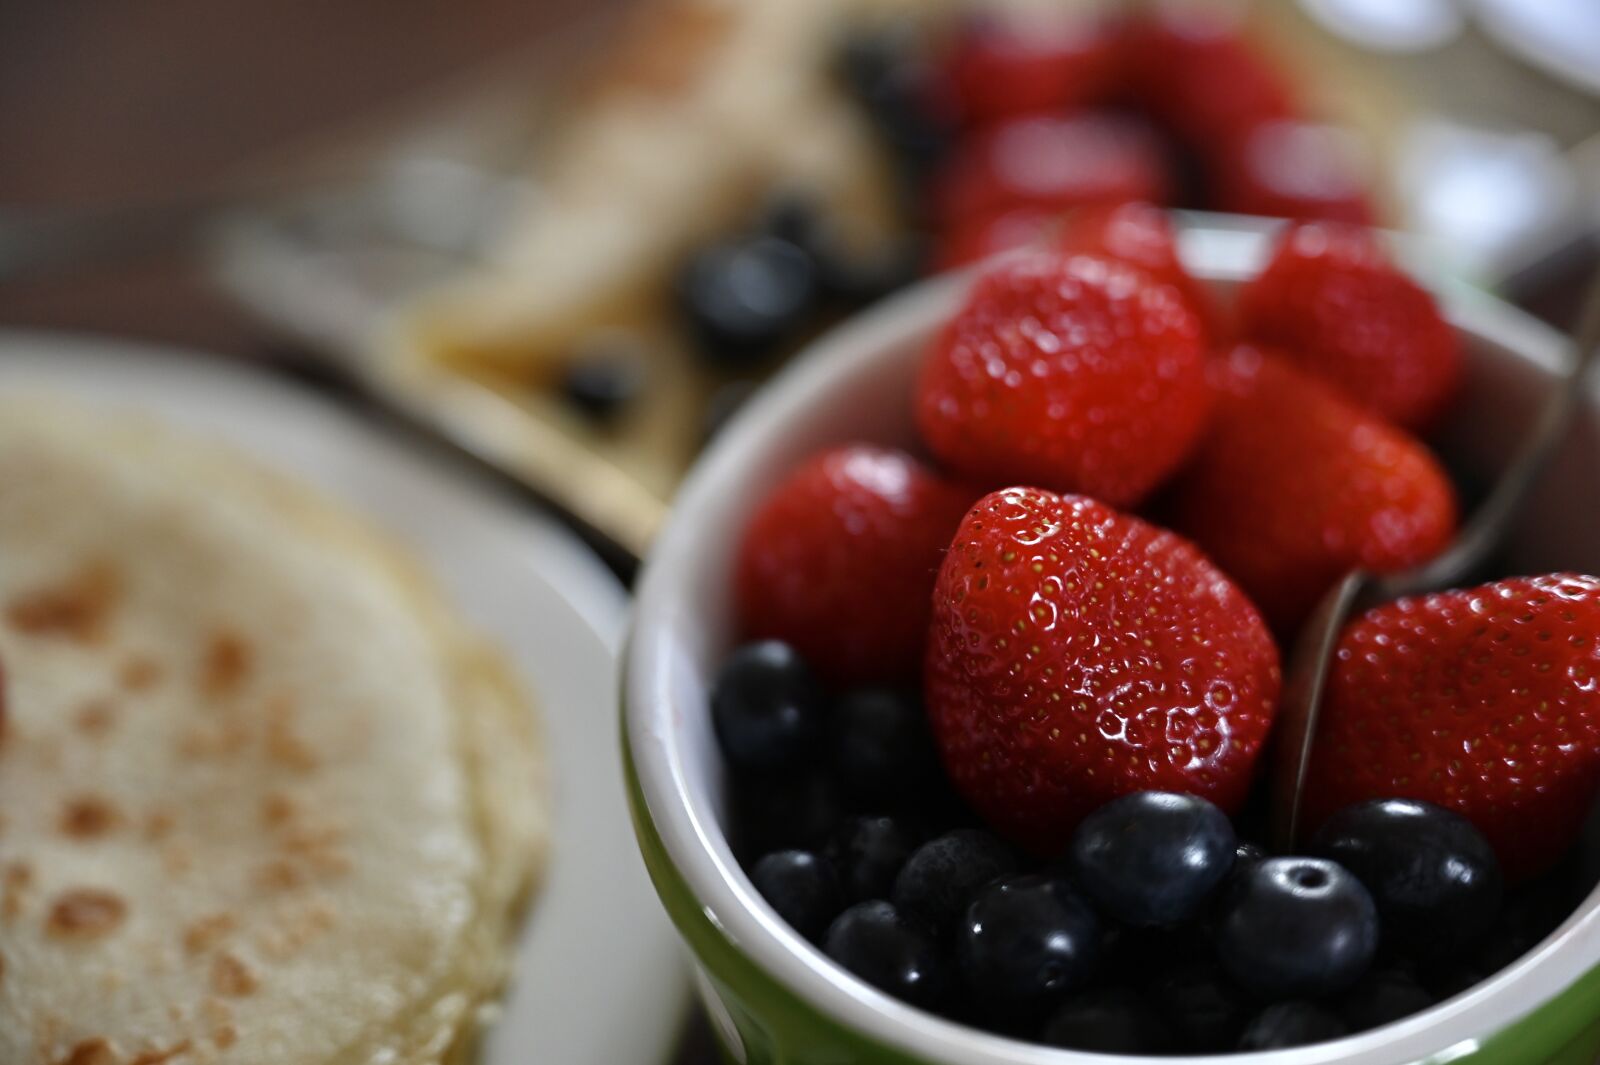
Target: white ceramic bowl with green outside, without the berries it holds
{"type": "Point", "coordinates": [777, 997]}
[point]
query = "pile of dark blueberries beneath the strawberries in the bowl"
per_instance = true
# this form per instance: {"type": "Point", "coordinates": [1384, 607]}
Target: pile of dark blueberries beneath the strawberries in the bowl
{"type": "Point", "coordinates": [1159, 931]}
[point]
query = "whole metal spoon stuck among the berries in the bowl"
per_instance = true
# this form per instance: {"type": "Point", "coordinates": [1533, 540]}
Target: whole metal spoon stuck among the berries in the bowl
{"type": "Point", "coordinates": [1484, 532]}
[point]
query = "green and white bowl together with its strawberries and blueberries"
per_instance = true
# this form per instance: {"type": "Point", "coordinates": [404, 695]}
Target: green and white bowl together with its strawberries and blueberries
{"type": "Point", "coordinates": [951, 693]}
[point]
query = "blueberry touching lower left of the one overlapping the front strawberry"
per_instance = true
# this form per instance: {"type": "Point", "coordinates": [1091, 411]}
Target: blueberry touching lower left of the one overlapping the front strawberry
{"type": "Point", "coordinates": [1025, 944]}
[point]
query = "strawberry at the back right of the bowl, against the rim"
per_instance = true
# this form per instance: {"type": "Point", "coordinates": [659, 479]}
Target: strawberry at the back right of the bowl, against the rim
{"type": "Point", "coordinates": [1335, 303]}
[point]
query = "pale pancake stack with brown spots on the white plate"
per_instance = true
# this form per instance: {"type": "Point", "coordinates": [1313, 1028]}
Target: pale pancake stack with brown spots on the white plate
{"type": "Point", "coordinates": [265, 800]}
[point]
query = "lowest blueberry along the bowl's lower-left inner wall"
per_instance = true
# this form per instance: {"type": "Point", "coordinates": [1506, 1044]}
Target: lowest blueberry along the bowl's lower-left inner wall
{"type": "Point", "coordinates": [876, 943]}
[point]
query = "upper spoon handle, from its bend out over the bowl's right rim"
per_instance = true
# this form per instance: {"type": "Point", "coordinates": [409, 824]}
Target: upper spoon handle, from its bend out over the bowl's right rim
{"type": "Point", "coordinates": [1489, 525]}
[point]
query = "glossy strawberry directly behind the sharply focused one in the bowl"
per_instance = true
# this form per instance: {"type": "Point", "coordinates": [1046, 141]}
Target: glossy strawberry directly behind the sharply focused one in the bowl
{"type": "Point", "coordinates": [1066, 372]}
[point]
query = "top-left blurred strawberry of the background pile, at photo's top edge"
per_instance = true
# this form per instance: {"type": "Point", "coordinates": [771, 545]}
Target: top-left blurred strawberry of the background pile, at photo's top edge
{"type": "Point", "coordinates": [1001, 68]}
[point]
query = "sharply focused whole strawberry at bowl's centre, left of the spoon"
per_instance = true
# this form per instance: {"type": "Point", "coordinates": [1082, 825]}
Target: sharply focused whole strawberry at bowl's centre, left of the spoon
{"type": "Point", "coordinates": [1079, 655]}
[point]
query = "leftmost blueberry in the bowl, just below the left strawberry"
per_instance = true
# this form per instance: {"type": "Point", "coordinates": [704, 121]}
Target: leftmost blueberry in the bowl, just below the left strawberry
{"type": "Point", "coordinates": [767, 709]}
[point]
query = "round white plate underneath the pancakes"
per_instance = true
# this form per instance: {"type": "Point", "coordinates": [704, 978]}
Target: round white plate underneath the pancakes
{"type": "Point", "coordinates": [601, 978]}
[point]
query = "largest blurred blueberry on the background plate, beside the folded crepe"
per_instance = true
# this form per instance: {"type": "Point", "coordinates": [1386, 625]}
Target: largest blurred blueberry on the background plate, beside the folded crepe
{"type": "Point", "coordinates": [742, 300]}
